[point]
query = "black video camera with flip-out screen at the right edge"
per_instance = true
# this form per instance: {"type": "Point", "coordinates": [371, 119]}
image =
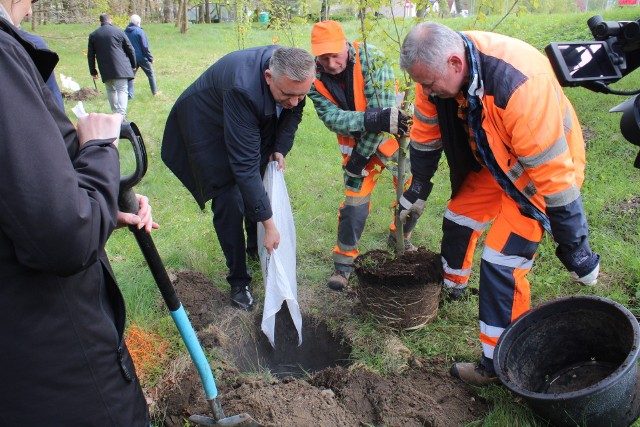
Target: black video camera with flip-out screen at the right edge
{"type": "Point", "coordinates": [595, 64]}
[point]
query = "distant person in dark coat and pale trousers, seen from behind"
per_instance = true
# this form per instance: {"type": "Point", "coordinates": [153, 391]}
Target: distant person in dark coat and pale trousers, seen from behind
{"type": "Point", "coordinates": [116, 61]}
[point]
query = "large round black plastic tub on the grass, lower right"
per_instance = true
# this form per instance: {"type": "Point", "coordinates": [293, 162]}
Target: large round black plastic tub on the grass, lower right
{"type": "Point", "coordinates": [574, 360]}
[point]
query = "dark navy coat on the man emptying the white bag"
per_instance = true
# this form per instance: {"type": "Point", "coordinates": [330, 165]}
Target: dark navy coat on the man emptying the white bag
{"type": "Point", "coordinates": [223, 128]}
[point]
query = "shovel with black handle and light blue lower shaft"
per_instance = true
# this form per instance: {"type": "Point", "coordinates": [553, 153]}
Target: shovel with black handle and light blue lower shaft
{"type": "Point", "coordinates": [127, 203]}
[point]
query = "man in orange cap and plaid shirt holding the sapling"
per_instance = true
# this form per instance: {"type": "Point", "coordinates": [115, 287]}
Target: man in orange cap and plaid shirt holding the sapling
{"type": "Point", "coordinates": [356, 99]}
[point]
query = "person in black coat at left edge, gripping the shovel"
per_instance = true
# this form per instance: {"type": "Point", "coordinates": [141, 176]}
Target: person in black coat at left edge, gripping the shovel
{"type": "Point", "coordinates": [62, 317]}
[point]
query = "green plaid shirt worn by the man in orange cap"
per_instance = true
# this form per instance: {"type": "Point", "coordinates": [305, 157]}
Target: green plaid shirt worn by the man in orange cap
{"type": "Point", "coordinates": [351, 123]}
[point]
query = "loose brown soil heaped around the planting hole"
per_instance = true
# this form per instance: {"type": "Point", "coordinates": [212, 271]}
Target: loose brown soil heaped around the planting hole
{"type": "Point", "coordinates": [422, 394]}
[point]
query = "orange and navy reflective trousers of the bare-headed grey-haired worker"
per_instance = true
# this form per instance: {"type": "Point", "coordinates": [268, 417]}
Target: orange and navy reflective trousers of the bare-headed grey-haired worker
{"type": "Point", "coordinates": [510, 248]}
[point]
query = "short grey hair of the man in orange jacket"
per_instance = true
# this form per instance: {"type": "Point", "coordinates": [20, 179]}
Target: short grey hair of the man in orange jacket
{"type": "Point", "coordinates": [432, 44]}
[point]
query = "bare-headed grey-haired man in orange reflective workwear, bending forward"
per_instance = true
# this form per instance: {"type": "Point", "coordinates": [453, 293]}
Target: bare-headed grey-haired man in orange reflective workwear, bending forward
{"type": "Point", "coordinates": [516, 157]}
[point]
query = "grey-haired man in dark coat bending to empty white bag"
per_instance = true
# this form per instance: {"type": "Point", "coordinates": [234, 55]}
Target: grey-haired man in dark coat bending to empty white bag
{"type": "Point", "coordinates": [221, 133]}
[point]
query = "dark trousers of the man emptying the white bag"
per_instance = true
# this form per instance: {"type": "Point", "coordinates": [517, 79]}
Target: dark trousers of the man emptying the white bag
{"type": "Point", "coordinates": [228, 221]}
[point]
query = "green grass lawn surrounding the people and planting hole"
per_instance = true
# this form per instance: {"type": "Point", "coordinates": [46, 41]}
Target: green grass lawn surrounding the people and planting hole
{"type": "Point", "coordinates": [186, 239]}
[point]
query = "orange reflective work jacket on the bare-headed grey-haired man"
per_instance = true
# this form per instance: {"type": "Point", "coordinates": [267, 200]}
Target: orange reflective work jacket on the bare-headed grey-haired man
{"type": "Point", "coordinates": [531, 127]}
